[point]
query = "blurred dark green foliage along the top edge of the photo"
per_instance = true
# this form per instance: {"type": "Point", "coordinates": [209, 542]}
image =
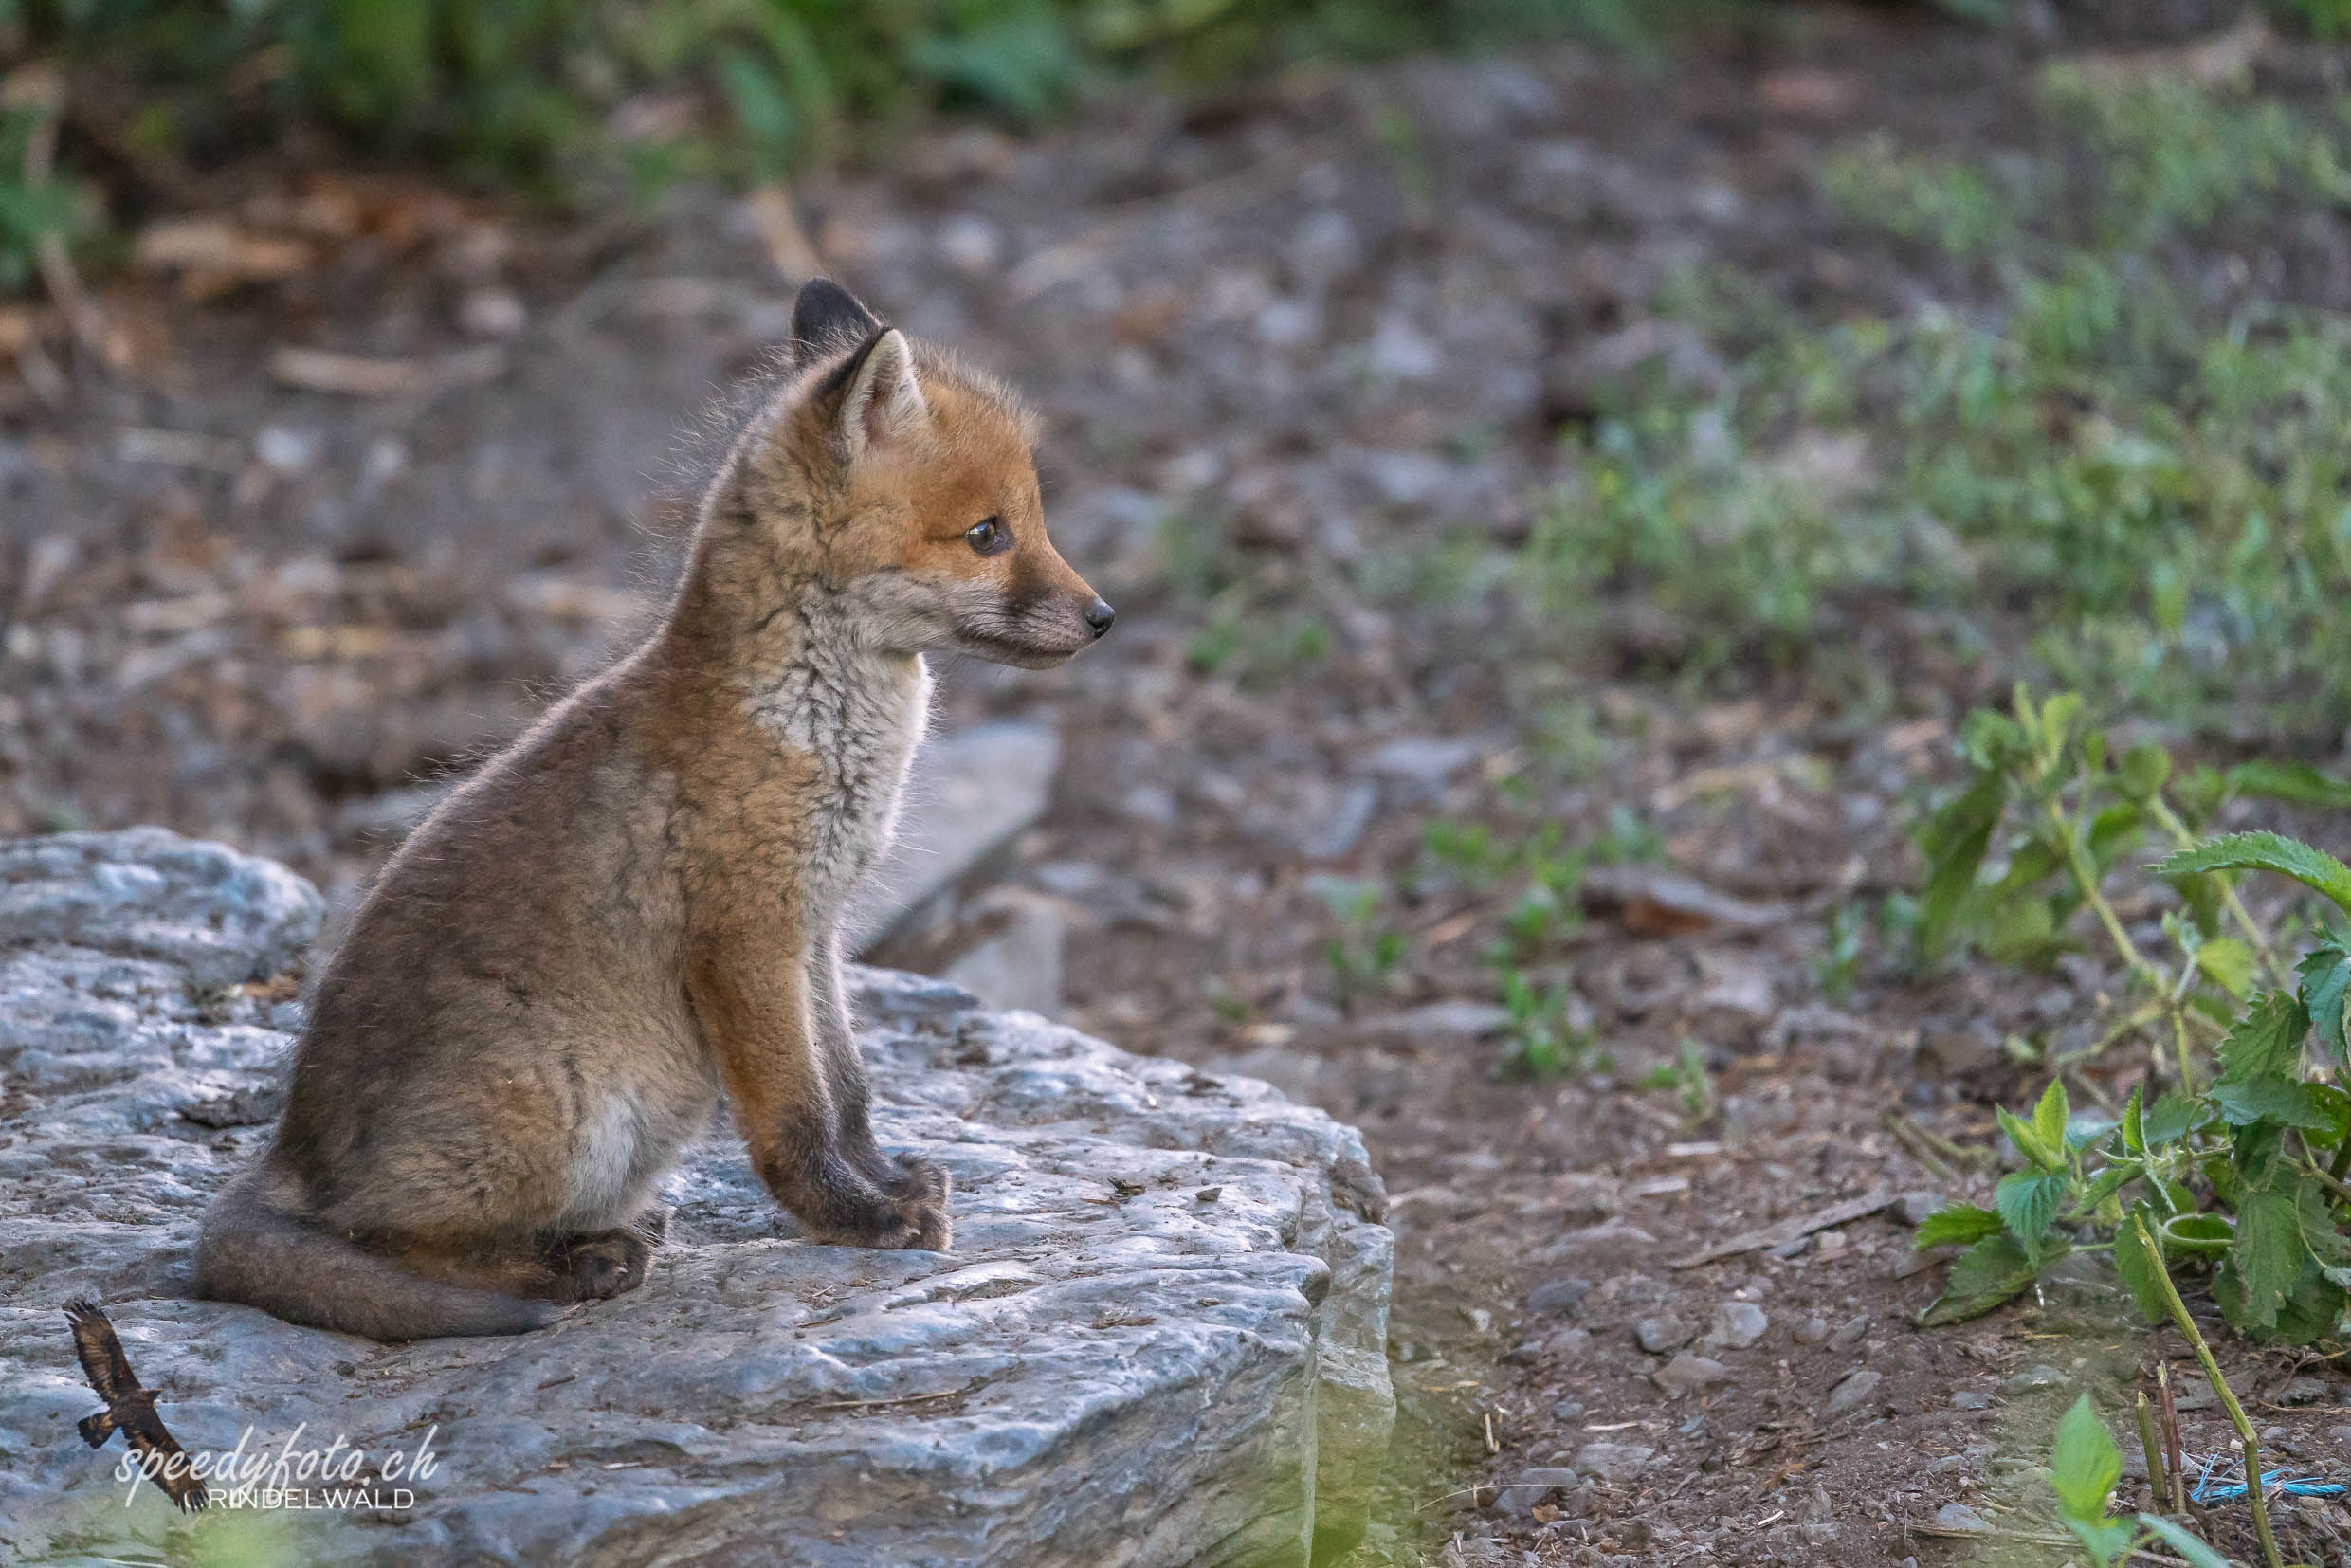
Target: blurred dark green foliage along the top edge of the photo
{"type": "Point", "coordinates": [521, 88]}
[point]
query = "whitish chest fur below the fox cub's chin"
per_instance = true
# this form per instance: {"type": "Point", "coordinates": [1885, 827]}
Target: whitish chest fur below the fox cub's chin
{"type": "Point", "coordinates": [859, 716]}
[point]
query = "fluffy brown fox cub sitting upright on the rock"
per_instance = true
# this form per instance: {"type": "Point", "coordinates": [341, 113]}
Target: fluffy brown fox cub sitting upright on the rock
{"type": "Point", "coordinates": [634, 909]}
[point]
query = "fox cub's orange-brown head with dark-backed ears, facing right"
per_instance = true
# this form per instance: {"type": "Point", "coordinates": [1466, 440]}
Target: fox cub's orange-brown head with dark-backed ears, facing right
{"type": "Point", "coordinates": [920, 490]}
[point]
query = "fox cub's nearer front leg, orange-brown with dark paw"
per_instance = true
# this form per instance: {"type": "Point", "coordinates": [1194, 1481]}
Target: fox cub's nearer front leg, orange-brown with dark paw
{"type": "Point", "coordinates": [810, 1146]}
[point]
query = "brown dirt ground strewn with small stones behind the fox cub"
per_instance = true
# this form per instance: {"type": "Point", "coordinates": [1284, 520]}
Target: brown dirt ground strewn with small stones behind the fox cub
{"type": "Point", "coordinates": [382, 467]}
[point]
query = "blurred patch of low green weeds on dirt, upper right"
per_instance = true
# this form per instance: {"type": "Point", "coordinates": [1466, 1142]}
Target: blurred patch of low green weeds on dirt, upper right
{"type": "Point", "coordinates": [2126, 462]}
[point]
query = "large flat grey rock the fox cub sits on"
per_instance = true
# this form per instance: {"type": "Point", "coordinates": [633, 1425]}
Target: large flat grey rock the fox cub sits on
{"type": "Point", "coordinates": [1160, 1336]}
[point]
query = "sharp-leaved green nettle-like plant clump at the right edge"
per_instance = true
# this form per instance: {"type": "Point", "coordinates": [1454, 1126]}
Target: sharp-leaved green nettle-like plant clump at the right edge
{"type": "Point", "coordinates": [2239, 1170]}
